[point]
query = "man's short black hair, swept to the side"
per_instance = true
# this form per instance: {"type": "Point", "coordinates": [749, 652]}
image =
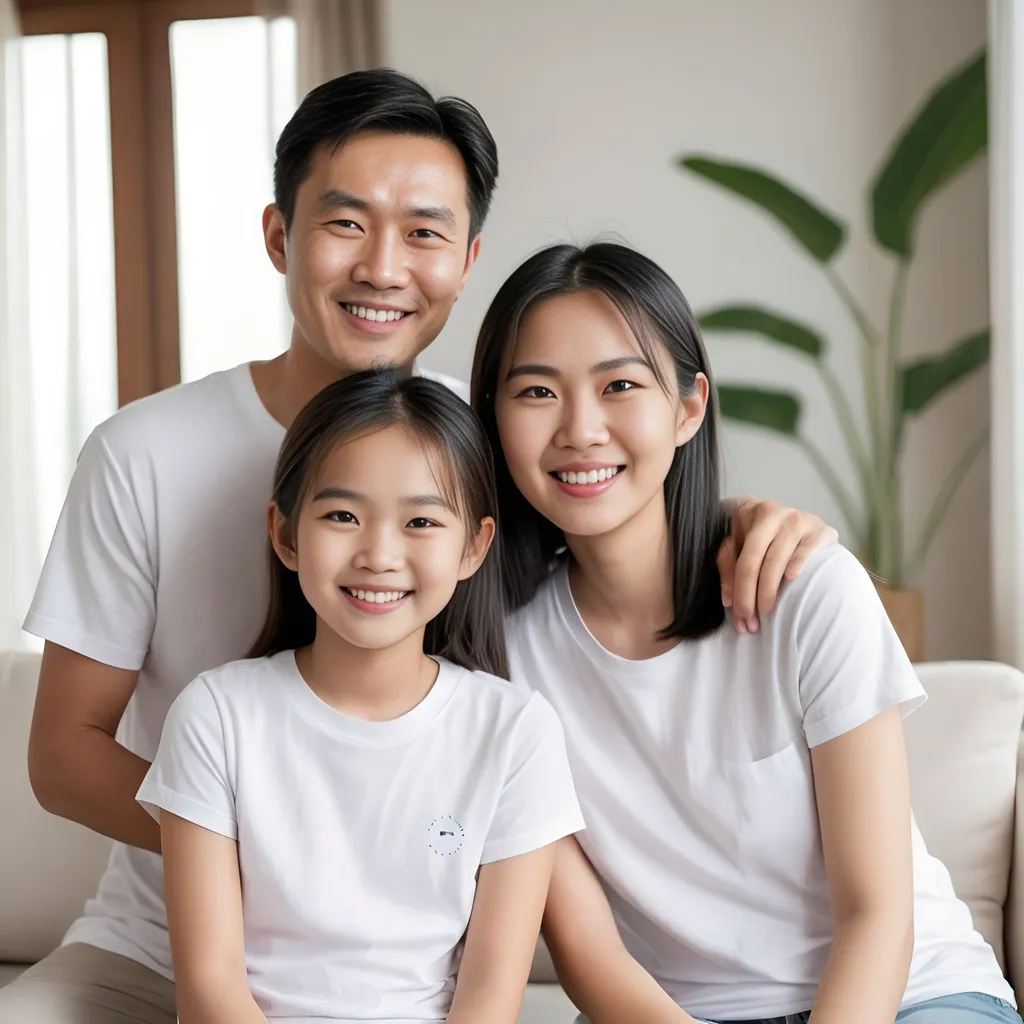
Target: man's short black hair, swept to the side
{"type": "Point", "coordinates": [387, 101]}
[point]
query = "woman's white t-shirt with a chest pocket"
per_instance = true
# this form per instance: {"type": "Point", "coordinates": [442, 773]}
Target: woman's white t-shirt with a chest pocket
{"type": "Point", "coordinates": [694, 773]}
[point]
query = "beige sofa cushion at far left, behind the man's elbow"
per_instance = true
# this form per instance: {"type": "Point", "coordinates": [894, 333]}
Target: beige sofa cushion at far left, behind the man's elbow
{"type": "Point", "coordinates": [49, 867]}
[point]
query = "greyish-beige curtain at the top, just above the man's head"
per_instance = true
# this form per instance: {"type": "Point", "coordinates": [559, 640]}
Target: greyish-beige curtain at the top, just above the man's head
{"type": "Point", "coordinates": [335, 37]}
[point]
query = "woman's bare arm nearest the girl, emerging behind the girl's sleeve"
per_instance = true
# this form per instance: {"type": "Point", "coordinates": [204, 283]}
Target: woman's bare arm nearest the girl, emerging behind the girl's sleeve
{"type": "Point", "coordinates": [593, 965]}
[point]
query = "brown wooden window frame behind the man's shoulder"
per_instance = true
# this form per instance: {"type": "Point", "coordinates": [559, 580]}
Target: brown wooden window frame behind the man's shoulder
{"type": "Point", "coordinates": [146, 269]}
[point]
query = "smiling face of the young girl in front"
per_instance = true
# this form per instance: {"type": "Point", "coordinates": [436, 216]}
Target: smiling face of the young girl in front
{"type": "Point", "coordinates": [377, 548]}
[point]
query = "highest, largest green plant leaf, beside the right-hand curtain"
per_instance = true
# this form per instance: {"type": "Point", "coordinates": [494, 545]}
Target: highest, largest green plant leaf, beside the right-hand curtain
{"type": "Point", "coordinates": [947, 135]}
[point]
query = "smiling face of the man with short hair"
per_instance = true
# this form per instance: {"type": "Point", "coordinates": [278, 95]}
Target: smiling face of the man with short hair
{"type": "Point", "coordinates": [378, 250]}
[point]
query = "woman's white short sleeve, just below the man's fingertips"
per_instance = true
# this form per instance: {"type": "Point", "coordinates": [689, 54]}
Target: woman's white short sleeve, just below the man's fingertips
{"type": "Point", "coordinates": [852, 666]}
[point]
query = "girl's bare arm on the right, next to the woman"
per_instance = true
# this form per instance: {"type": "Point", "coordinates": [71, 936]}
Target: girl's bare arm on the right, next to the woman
{"type": "Point", "coordinates": [501, 940]}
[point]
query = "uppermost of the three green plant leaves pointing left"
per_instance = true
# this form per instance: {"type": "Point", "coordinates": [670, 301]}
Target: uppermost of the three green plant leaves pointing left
{"type": "Point", "coordinates": [820, 233]}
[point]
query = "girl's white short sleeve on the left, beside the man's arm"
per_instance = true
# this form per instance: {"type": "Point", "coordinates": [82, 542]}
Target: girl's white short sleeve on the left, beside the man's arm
{"type": "Point", "coordinates": [191, 777]}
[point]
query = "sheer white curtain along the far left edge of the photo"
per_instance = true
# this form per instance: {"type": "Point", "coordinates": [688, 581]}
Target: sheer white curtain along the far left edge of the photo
{"type": "Point", "coordinates": [19, 493]}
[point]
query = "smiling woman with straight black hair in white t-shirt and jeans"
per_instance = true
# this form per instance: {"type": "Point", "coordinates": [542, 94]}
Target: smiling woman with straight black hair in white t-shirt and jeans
{"type": "Point", "coordinates": [747, 797]}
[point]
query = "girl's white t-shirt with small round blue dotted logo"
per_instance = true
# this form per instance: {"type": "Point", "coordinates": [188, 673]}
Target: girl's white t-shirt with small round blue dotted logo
{"type": "Point", "coordinates": [360, 842]}
